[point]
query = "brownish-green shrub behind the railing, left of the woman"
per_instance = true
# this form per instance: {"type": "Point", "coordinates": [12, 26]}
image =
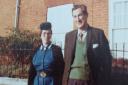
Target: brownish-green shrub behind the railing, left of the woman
{"type": "Point", "coordinates": [15, 53]}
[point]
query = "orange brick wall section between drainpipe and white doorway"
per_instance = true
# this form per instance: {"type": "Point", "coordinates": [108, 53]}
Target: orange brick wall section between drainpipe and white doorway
{"type": "Point", "coordinates": [32, 13]}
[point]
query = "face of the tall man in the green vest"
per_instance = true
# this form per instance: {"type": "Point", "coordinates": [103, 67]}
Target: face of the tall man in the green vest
{"type": "Point", "coordinates": [79, 18]}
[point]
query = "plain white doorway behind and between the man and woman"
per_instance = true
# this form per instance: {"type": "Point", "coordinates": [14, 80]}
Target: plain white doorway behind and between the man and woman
{"type": "Point", "coordinates": [61, 19]}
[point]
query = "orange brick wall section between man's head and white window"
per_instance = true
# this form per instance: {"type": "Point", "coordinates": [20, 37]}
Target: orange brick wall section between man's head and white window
{"type": "Point", "coordinates": [100, 14]}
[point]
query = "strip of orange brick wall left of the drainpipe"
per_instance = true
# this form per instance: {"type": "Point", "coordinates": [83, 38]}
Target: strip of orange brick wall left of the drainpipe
{"type": "Point", "coordinates": [7, 16]}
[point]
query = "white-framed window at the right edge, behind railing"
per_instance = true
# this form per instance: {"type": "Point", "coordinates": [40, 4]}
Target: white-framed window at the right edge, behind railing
{"type": "Point", "coordinates": [118, 27]}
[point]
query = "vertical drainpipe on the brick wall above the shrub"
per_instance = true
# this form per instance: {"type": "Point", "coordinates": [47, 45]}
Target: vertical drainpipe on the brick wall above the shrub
{"type": "Point", "coordinates": [17, 12]}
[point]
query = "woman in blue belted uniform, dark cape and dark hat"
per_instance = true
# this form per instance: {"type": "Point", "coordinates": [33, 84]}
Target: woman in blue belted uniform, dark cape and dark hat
{"type": "Point", "coordinates": [47, 63]}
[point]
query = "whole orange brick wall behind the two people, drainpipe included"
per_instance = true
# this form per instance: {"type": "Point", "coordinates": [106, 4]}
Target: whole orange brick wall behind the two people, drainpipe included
{"type": "Point", "coordinates": [33, 12]}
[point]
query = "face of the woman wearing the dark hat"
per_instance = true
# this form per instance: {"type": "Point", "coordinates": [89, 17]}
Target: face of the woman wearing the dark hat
{"type": "Point", "coordinates": [46, 36]}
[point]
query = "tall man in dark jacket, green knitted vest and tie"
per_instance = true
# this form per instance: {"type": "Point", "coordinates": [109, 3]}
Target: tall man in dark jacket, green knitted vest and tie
{"type": "Point", "coordinates": [86, 54]}
